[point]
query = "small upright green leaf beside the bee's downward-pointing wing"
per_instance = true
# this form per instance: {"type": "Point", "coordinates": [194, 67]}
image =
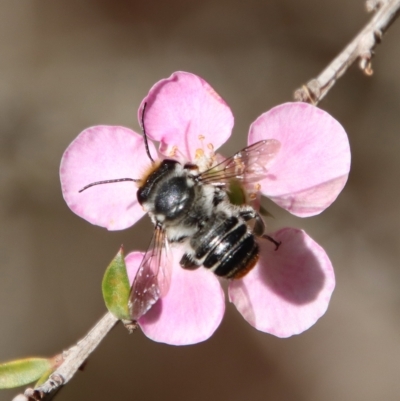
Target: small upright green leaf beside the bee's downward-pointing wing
{"type": "Point", "coordinates": [116, 287]}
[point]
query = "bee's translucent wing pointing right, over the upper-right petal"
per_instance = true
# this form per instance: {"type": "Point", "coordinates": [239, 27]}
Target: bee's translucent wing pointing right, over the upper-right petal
{"type": "Point", "coordinates": [249, 164]}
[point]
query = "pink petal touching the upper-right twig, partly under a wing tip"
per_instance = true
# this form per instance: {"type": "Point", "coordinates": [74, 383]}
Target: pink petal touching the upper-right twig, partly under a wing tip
{"type": "Point", "coordinates": [313, 163]}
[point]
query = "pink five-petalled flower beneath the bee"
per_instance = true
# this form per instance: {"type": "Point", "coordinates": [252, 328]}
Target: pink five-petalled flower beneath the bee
{"type": "Point", "coordinates": [289, 289]}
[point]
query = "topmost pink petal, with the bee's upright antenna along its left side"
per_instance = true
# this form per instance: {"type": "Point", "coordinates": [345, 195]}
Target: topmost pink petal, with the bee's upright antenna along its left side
{"type": "Point", "coordinates": [185, 114]}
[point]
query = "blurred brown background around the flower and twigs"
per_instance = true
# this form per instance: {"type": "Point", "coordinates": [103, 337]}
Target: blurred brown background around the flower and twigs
{"type": "Point", "coordinates": [67, 65]}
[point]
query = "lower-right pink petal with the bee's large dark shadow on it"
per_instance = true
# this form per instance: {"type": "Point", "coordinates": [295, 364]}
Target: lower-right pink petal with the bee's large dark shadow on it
{"type": "Point", "coordinates": [289, 289]}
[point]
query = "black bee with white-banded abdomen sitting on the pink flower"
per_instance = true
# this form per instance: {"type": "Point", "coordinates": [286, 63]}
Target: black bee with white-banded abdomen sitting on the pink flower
{"type": "Point", "coordinates": [193, 208]}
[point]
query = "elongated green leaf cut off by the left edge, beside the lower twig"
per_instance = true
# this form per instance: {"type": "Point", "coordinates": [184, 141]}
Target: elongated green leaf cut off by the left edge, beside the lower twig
{"type": "Point", "coordinates": [23, 371]}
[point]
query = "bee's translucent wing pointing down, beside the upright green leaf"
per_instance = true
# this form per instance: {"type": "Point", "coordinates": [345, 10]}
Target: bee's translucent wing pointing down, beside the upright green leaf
{"type": "Point", "coordinates": [152, 279]}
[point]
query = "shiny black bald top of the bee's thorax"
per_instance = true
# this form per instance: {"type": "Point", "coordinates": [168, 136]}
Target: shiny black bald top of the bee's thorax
{"type": "Point", "coordinates": [174, 197]}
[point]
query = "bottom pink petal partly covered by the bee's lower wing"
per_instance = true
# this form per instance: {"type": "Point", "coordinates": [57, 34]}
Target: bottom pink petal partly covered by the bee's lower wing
{"type": "Point", "coordinates": [190, 312]}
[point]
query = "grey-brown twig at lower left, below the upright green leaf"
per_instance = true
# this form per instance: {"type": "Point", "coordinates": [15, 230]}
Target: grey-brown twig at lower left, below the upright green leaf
{"type": "Point", "coordinates": [73, 360]}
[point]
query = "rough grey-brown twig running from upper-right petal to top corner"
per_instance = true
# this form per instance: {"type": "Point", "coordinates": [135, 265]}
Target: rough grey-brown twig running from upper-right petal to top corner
{"type": "Point", "coordinates": [361, 48]}
